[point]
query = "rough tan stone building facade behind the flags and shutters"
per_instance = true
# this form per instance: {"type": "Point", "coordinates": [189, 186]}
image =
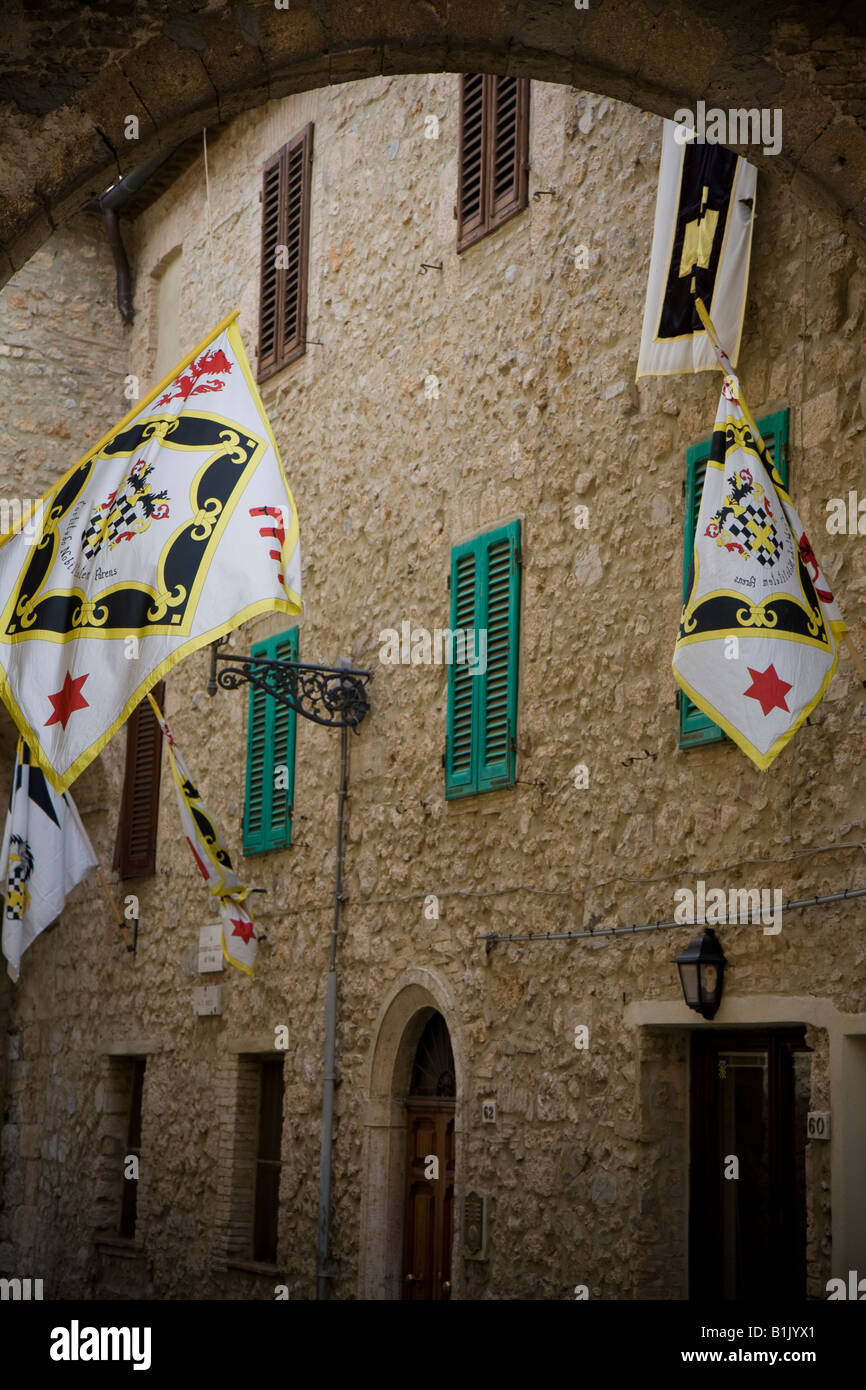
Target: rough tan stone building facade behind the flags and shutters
{"type": "Point", "coordinates": [571, 1164]}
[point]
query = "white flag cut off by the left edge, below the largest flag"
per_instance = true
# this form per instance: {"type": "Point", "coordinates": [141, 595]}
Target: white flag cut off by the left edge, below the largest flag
{"type": "Point", "coordinates": [47, 851]}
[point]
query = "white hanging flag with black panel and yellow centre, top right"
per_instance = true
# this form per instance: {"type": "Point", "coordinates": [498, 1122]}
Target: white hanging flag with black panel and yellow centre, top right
{"type": "Point", "coordinates": [701, 248]}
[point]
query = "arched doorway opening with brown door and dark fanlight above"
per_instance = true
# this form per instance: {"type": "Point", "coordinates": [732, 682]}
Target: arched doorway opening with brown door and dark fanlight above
{"type": "Point", "coordinates": [429, 1211]}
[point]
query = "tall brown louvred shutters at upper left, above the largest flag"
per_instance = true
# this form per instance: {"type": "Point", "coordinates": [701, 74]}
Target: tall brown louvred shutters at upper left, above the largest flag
{"type": "Point", "coordinates": [286, 222]}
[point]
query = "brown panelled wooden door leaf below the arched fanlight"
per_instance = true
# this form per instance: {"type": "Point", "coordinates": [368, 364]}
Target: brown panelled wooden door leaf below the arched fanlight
{"type": "Point", "coordinates": [429, 1225]}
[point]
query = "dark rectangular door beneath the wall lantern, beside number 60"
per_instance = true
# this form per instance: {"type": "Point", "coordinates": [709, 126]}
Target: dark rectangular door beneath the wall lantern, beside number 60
{"type": "Point", "coordinates": [750, 1097]}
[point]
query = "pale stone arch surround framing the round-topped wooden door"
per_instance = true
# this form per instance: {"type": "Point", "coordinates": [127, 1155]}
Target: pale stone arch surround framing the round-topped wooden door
{"type": "Point", "coordinates": [411, 1003]}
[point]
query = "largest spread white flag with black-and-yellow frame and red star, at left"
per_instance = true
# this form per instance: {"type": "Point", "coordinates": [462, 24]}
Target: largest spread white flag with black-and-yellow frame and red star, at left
{"type": "Point", "coordinates": [176, 529]}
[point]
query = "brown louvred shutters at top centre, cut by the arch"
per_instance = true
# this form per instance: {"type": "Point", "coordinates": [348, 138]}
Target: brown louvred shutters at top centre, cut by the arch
{"type": "Point", "coordinates": [493, 173]}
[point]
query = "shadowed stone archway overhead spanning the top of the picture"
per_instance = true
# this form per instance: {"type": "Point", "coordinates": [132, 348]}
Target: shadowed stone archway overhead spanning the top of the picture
{"type": "Point", "coordinates": [72, 76]}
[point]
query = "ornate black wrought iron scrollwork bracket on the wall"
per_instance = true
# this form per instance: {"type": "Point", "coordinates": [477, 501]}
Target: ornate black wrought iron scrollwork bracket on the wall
{"type": "Point", "coordinates": [330, 696]}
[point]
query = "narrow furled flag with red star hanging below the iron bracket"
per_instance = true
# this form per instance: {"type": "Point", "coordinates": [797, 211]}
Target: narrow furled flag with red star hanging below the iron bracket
{"type": "Point", "coordinates": [208, 847]}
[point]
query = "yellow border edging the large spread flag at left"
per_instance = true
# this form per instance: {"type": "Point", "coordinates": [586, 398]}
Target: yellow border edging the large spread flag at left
{"type": "Point", "coordinates": [290, 605]}
